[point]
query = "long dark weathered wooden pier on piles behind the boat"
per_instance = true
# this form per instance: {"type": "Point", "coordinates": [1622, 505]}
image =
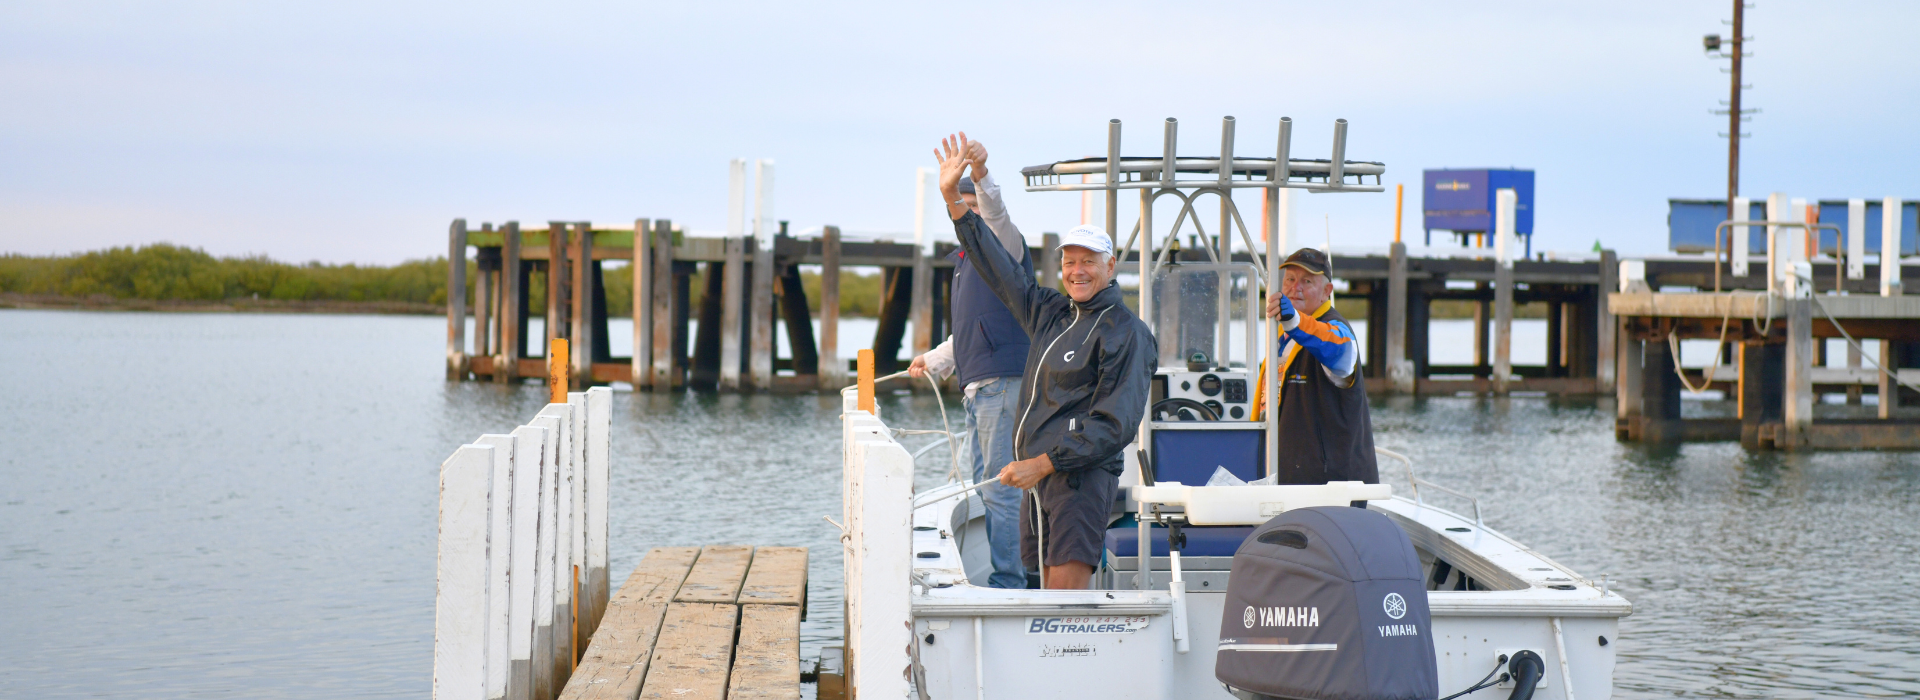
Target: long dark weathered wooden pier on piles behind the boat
{"type": "Point", "coordinates": [732, 346]}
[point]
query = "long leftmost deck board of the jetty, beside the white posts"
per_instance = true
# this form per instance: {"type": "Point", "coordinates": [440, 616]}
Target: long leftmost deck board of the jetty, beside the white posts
{"type": "Point", "coordinates": [617, 659]}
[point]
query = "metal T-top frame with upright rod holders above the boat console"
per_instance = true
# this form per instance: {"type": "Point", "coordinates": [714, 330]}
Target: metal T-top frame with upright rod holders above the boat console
{"type": "Point", "coordinates": [1161, 177]}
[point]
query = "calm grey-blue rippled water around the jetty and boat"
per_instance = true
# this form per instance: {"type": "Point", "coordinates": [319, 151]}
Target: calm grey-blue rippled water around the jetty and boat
{"type": "Point", "coordinates": [235, 505]}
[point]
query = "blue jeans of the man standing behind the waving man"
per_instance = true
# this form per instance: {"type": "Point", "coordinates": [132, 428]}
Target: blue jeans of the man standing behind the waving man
{"type": "Point", "coordinates": [990, 421]}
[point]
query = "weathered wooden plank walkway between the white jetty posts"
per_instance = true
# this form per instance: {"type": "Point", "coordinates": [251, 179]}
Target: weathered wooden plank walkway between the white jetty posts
{"type": "Point", "coordinates": [715, 622]}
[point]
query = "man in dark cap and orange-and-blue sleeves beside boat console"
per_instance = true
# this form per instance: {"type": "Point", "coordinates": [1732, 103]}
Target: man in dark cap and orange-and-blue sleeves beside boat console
{"type": "Point", "coordinates": [1326, 429]}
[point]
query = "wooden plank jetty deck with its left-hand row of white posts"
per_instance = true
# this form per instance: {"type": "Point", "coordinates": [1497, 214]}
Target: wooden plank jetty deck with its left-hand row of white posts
{"type": "Point", "coordinates": [523, 607]}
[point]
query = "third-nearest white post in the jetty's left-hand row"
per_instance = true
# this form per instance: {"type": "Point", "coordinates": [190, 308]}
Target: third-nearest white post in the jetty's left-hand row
{"type": "Point", "coordinates": [523, 582]}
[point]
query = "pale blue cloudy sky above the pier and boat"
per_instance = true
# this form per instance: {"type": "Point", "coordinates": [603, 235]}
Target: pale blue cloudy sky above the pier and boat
{"type": "Point", "coordinates": [358, 131]}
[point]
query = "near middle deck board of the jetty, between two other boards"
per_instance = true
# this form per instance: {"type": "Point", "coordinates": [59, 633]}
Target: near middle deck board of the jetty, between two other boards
{"type": "Point", "coordinates": [694, 653]}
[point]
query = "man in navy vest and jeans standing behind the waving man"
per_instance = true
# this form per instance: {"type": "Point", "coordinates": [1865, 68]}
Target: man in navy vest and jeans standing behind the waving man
{"type": "Point", "coordinates": [990, 352]}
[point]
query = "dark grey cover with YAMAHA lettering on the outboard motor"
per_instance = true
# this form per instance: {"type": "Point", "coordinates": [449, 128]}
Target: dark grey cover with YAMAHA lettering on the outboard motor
{"type": "Point", "coordinates": [1328, 603]}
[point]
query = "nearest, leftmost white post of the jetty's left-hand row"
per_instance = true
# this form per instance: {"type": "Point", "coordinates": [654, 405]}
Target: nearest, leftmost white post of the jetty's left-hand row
{"type": "Point", "coordinates": [462, 574]}
